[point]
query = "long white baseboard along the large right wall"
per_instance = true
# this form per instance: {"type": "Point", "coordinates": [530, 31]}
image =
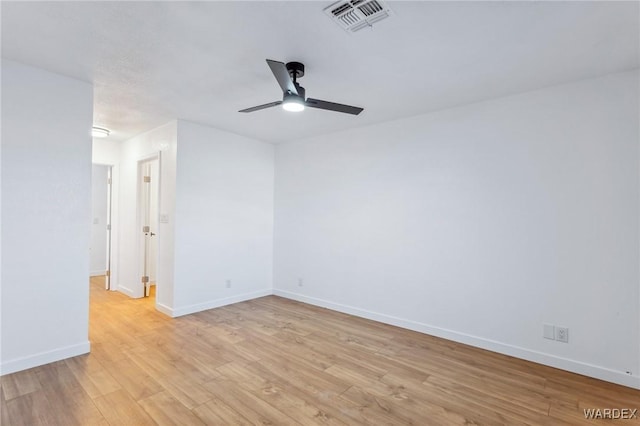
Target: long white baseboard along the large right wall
{"type": "Point", "coordinates": [573, 366]}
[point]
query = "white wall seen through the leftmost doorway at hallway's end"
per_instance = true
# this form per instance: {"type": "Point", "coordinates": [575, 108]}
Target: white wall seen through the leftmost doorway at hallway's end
{"type": "Point", "coordinates": [99, 203]}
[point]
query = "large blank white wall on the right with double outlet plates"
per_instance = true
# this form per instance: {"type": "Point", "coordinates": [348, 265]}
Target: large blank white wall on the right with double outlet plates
{"type": "Point", "coordinates": [479, 224]}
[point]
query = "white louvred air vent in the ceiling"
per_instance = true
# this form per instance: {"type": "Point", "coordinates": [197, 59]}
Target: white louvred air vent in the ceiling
{"type": "Point", "coordinates": [354, 15]}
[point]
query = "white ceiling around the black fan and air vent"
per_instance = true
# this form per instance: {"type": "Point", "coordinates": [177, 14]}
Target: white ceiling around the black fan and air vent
{"type": "Point", "coordinates": [151, 62]}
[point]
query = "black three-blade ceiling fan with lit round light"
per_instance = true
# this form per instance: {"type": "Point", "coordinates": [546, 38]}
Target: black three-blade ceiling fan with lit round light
{"type": "Point", "coordinates": [293, 95]}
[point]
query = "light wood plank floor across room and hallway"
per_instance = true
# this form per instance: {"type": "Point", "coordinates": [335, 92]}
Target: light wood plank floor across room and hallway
{"type": "Point", "coordinates": [278, 362]}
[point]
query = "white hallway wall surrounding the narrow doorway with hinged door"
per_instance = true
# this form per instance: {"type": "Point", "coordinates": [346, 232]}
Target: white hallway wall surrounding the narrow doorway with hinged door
{"type": "Point", "coordinates": [160, 141]}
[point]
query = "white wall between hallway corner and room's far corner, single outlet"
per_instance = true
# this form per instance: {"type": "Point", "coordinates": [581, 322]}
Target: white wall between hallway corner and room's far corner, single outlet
{"type": "Point", "coordinates": [224, 218]}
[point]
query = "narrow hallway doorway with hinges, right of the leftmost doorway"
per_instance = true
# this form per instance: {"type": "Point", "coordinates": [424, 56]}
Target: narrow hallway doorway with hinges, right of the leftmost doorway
{"type": "Point", "coordinates": [148, 215]}
